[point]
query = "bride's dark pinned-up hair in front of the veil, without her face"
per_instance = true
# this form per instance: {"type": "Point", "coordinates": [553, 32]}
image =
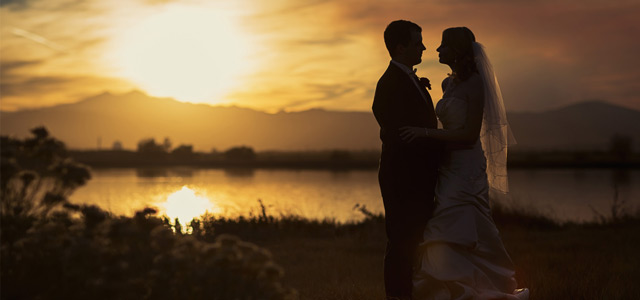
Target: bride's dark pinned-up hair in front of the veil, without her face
{"type": "Point", "coordinates": [461, 40]}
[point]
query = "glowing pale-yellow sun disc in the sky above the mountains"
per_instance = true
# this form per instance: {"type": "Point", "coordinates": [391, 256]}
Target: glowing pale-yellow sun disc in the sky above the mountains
{"type": "Point", "coordinates": [192, 54]}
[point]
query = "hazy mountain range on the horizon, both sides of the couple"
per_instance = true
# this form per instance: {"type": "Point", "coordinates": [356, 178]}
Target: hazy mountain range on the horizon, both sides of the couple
{"type": "Point", "coordinates": [131, 117]}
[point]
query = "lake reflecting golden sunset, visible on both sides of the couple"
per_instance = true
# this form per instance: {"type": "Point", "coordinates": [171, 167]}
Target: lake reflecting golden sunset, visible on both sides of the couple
{"type": "Point", "coordinates": [563, 194]}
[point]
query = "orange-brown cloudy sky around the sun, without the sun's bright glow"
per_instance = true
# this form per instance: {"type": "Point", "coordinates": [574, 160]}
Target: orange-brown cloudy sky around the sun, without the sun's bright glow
{"type": "Point", "coordinates": [330, 53]}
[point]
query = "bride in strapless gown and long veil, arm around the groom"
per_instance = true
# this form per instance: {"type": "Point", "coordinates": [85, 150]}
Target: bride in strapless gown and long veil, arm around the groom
{"type": "Point", "coordinates": [462, 256]}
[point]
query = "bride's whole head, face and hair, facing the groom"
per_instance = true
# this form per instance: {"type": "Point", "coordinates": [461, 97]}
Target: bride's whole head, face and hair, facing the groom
{"type": "Point", "coordinates": [456, 50]}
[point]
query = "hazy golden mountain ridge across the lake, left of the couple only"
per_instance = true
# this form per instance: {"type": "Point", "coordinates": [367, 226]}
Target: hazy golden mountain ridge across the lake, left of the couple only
{"type": "Point", "coordinates": [133, 116]}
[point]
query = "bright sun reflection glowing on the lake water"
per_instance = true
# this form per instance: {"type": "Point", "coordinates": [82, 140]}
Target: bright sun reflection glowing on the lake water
{"type": "Point", "coordinates": [186, 205]}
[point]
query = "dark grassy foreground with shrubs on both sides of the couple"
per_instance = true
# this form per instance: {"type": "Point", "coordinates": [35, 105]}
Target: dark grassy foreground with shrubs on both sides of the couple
{"type": "Point", "coordinates": [321, 259]}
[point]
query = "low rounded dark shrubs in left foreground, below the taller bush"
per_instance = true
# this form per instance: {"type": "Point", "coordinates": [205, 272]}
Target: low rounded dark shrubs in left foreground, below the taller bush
{"type": "Point", "coordinates": [98, 256]}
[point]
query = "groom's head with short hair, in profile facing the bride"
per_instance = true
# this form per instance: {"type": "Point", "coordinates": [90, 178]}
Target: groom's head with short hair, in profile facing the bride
{"type": "Point", "coordinates": [404, 42]}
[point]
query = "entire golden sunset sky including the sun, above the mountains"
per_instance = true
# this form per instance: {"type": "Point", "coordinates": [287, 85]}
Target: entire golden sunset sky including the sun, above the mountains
{"type": "Point", "coordinates": [298, 54]}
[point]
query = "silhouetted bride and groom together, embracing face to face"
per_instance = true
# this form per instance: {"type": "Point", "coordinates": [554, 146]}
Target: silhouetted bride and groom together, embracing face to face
{"type": "Point", "coordinates": [442, 242]}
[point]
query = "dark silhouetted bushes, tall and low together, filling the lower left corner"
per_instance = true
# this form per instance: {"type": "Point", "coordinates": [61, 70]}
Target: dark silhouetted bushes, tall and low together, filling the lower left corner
{"type": "Point", "coordinates": [52, 249]}
